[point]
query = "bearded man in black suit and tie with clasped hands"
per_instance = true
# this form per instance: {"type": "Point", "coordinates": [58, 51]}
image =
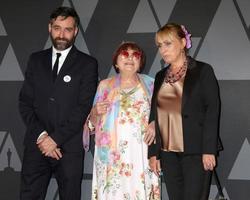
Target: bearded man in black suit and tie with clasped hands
{"type": "Point", "coordinates": [56, 97]}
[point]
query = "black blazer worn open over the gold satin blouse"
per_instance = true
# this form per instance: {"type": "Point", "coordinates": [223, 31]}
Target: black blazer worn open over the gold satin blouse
{"type": "Point", "coordinates": [200, 110]}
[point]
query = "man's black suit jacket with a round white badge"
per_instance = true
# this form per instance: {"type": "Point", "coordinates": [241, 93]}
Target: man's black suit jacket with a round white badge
{"type": "Point", "coordinates": [61, 107]}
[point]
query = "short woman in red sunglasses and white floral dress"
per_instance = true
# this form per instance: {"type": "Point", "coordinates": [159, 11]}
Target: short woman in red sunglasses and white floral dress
{"type": "Point", "coordinates": [119, 119]}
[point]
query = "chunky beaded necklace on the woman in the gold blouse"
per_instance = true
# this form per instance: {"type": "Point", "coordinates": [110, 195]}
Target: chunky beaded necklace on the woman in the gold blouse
{"type": "Point", "coordinates": [172, 77]}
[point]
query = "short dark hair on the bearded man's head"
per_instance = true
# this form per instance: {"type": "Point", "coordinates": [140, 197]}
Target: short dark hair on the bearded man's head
{"type": "Point", "coordinates": [65, 12]}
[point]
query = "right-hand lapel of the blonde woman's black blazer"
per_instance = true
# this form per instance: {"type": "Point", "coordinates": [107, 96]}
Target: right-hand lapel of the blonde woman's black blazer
{"type": "Point", "coordinates": [189, 81]}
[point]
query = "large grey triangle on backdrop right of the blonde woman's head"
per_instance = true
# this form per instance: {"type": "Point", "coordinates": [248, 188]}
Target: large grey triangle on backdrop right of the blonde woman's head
{"type": "Point", "coordinates": [221, 44]}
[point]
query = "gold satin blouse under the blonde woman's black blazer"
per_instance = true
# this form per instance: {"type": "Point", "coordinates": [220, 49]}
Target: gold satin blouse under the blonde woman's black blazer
{"type": "Point", "coordinates": [169, 101]}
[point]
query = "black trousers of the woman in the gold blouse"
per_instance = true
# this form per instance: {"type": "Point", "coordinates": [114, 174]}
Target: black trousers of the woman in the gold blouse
{"type": "Point", "coordinates": [185, 176]}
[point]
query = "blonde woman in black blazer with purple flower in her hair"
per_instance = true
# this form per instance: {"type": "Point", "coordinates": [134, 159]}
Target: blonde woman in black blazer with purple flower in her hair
{"type": "Point", "coordinates": [185, 108]}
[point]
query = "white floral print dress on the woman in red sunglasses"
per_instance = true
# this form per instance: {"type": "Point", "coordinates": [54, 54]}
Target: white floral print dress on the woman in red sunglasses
{"type": "Point", "coordinates": [120, 162]}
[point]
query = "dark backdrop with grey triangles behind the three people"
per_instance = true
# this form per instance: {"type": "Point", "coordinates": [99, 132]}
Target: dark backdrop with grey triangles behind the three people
{"type": "Point", "coordinates": [220, 33]}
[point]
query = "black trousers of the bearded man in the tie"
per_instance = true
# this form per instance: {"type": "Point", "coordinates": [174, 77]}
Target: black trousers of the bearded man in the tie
{"type": "Point", "coordinates": [37, 171]}
